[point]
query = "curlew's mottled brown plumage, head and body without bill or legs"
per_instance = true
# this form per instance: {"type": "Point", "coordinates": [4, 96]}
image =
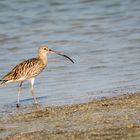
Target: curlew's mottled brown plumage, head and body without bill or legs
{"type": "Point", "coordinates": [28, 68]}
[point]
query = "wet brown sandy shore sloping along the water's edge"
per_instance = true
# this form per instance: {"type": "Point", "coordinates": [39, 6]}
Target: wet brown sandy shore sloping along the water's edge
{"type": "Point", "coordinates": [108, 118]}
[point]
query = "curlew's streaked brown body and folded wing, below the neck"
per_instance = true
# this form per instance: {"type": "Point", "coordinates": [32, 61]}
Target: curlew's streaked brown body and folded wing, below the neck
{"type": "Point", "coordinates": [25, 70]}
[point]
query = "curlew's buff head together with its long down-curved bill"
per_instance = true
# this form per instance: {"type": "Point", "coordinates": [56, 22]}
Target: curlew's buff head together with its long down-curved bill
{"type": "Point", "coordinates": [45, 50]}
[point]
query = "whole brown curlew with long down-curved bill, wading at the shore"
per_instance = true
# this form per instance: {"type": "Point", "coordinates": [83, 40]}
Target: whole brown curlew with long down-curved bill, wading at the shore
{"type": "Point", "coordinates": [29, 69]}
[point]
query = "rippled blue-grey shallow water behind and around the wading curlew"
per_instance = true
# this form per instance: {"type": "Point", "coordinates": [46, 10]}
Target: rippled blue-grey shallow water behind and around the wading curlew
{"type": "Point", "coordinates": [102, 37]}
